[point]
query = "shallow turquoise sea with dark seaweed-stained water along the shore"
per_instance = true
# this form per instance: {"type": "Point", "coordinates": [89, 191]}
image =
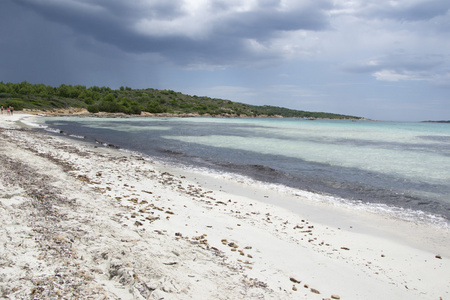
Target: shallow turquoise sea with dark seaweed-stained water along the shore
{"type": "Point", "coordinates": [399, 168]}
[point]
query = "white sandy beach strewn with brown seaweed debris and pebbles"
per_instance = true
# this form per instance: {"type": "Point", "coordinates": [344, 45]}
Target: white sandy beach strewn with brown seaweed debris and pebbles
{"type": "Point", "coordinates": [83, 221]}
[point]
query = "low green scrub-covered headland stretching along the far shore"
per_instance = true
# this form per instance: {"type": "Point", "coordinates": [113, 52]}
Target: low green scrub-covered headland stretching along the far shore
{"type": "Point", "coordinates": [95, 99]}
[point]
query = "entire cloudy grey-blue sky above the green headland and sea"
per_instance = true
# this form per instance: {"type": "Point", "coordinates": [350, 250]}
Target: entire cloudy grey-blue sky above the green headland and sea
{"type": "Point", "coordinates": [382, 59]}
